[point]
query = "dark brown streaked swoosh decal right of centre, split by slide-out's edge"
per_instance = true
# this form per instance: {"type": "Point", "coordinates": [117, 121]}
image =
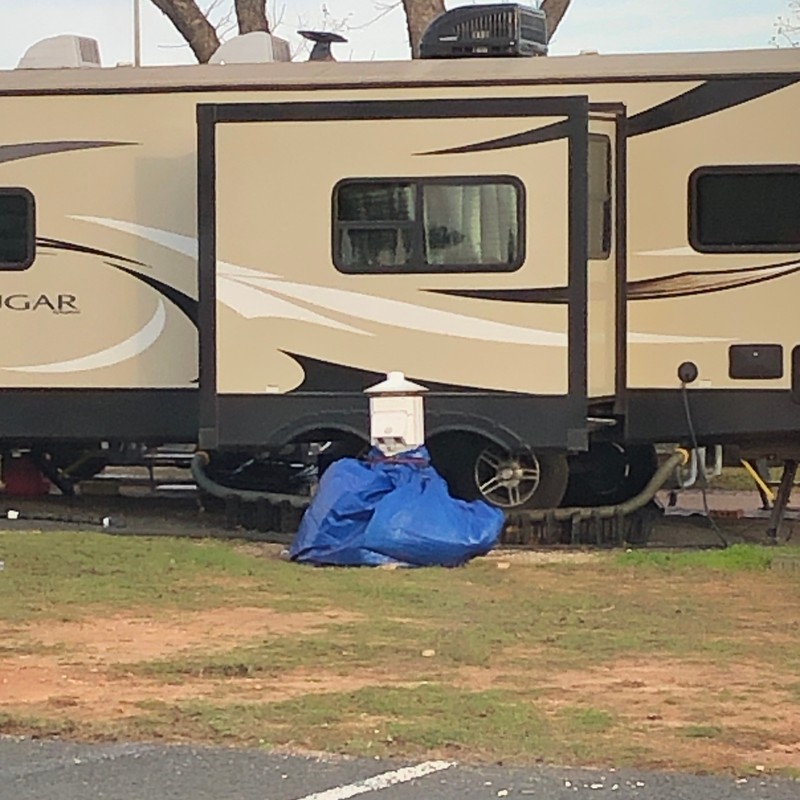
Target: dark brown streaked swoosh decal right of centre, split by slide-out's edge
{"type": "Point", "coordinates": [681, 284]}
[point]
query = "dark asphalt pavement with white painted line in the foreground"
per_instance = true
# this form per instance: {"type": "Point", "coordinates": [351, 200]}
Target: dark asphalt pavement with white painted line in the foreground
{"type": "Point", "coordinates": [55, 770]}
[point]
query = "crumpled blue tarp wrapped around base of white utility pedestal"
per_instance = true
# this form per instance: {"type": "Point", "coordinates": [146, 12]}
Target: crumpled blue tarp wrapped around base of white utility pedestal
{"type": "Point", "coordinates": [392, 510]}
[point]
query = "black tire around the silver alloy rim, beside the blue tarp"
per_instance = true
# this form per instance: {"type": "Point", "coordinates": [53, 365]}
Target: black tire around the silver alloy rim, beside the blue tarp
{"type": "Point", "coordinates": [455, 457]}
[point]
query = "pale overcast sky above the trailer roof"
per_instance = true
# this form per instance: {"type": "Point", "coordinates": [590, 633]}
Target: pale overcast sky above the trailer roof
{"type": "Point", "coordinates": [604, 25]}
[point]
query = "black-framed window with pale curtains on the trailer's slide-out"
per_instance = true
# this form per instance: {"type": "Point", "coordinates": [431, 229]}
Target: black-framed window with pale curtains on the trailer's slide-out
{"type": "Point", "coordinates": [428, 225]}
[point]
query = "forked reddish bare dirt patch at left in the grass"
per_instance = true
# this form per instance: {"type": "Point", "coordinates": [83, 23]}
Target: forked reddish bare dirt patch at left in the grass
{"type": "Point", "coordinates": [76, 677]}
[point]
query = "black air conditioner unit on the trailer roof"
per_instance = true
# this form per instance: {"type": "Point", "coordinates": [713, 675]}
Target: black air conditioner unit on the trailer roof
{"type": "Point", "coordinates": [505, 29]}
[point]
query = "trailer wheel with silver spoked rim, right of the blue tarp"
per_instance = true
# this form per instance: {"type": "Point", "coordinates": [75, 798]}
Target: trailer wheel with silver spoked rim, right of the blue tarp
{"type": "Point", "coordinates": [478, 469]}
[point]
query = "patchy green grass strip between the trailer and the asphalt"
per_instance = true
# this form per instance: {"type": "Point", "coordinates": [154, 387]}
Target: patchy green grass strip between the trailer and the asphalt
{"type": "Point", "coordinates": [494, 641]}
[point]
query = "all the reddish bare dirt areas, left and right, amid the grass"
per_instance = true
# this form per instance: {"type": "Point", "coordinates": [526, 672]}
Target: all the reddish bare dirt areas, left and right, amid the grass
{"type": "Point", "coordinates": [75, 669]}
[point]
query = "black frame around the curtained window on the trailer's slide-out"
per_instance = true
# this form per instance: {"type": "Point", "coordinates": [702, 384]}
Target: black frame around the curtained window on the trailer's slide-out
{"type": "Point", "coordinates": [417, 267]}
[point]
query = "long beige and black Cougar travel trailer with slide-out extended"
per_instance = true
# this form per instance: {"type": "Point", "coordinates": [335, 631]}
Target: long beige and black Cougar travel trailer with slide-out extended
{"type": "Point", "coordinates": [229, 254]}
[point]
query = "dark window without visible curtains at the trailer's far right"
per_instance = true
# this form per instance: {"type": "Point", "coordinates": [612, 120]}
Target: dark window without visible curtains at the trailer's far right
{"type": "Point", "coordinates": [745, 209]}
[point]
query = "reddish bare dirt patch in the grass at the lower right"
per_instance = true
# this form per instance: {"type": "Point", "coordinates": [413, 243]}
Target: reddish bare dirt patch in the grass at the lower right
{"type": "Point", "coordinates": [736, 714]}
